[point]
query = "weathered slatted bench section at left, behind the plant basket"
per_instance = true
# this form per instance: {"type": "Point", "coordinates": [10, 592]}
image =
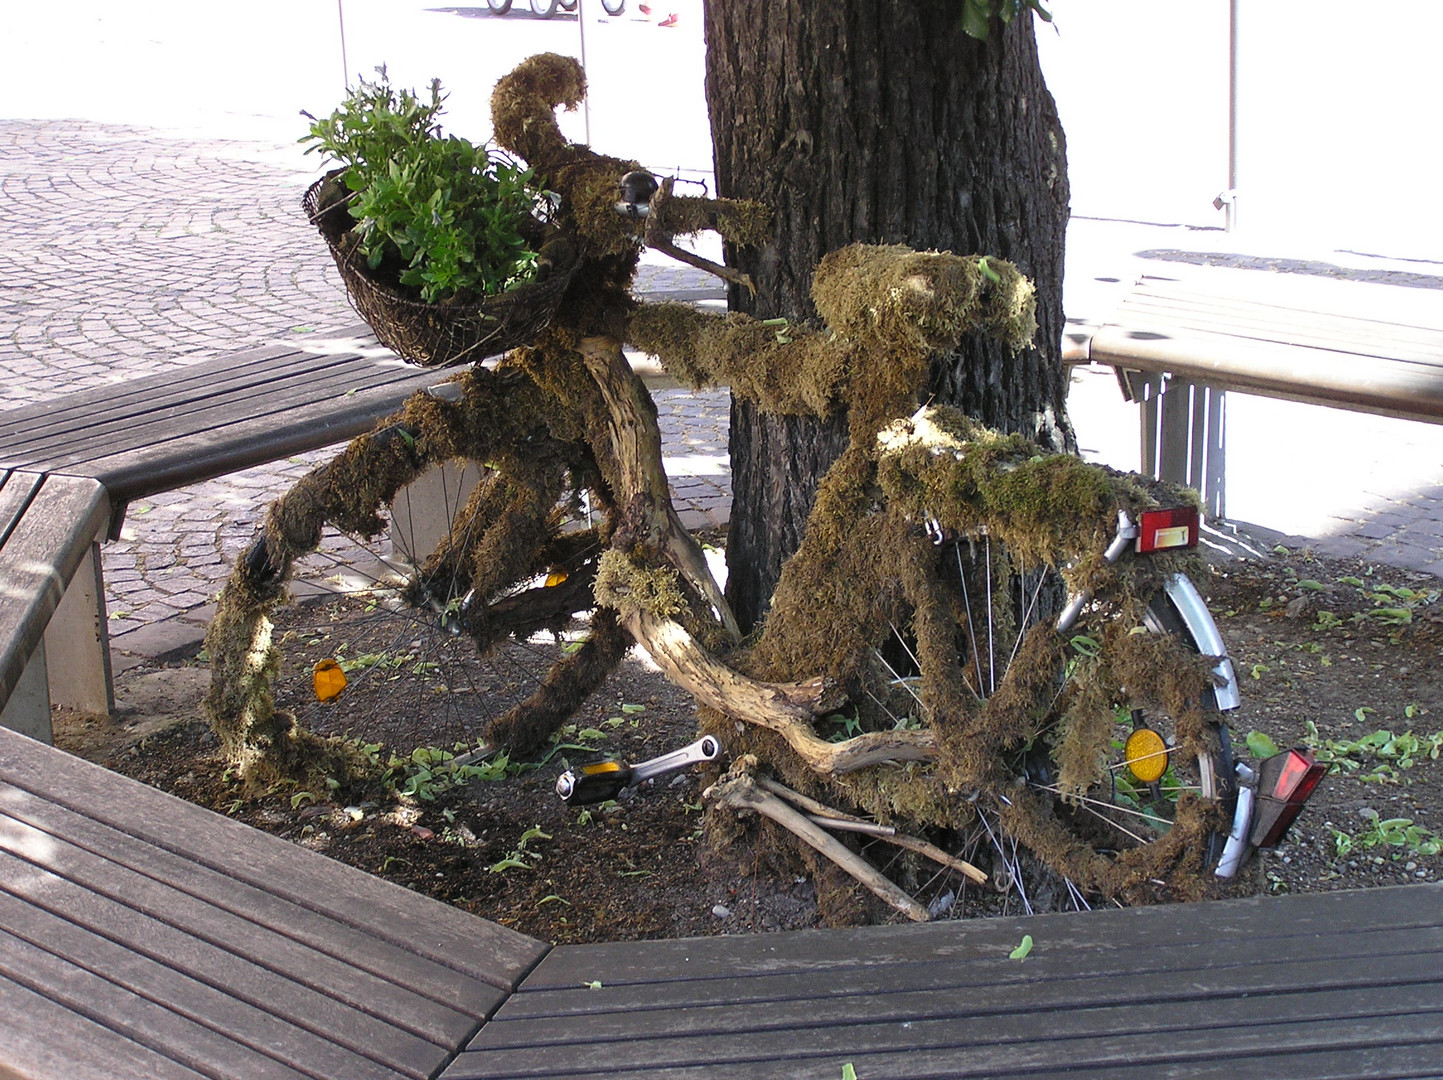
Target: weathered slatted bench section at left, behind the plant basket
{"type": "Point", "coordinates": [149, 435]}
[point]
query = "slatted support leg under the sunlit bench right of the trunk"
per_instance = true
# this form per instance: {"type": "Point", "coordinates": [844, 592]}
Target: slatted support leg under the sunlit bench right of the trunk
{"type": "Point", "coordinates": [1184, 428]}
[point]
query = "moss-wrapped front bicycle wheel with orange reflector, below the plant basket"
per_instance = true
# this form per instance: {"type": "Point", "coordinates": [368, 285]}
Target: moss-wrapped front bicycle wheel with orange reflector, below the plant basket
{"type": "Point", "coordinates": [473, 623]}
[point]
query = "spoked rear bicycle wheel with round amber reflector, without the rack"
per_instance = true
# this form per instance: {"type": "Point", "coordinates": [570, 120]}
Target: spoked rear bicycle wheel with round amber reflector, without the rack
{"type": "Point", "coordinates": [1109, 756]}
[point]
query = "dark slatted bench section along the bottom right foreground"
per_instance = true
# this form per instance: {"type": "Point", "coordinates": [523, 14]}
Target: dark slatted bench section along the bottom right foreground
{"type": "Point", "coordinates": [1324, 985]}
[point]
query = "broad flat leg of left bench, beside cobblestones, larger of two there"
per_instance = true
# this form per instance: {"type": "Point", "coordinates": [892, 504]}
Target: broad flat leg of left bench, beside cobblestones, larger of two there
{"type": "Point", "coordinates": [77, 643]}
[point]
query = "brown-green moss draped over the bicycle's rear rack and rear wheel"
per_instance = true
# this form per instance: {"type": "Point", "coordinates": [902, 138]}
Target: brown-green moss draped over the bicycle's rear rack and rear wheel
{"type": "Point", "coordinates": [868, 570]}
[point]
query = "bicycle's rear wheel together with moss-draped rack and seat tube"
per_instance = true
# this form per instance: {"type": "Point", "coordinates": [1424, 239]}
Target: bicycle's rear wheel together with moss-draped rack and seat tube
{"type": "Point", "coordinates": [946, 642]}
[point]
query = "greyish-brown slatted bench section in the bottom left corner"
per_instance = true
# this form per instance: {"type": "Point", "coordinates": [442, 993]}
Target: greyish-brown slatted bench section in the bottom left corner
{"type": "Point", "coordinates": [145, 938]}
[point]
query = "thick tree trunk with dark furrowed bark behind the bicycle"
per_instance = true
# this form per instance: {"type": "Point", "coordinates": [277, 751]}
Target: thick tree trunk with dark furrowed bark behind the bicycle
{"type": "Point", "coordinates": [881, 122]}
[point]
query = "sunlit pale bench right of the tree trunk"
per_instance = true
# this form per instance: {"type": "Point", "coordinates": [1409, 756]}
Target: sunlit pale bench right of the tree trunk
{"type": "Point", "coordinates": [1180, 344]}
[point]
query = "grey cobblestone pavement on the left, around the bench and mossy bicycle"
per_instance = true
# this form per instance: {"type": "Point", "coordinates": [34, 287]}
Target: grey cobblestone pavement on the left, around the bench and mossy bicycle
{"type": "Point", "coordinates": [128, 253]}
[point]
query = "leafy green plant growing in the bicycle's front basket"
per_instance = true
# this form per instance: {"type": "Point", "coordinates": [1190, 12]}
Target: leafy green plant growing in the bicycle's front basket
{"type": "Point", "coordinates": [434, 213]}
